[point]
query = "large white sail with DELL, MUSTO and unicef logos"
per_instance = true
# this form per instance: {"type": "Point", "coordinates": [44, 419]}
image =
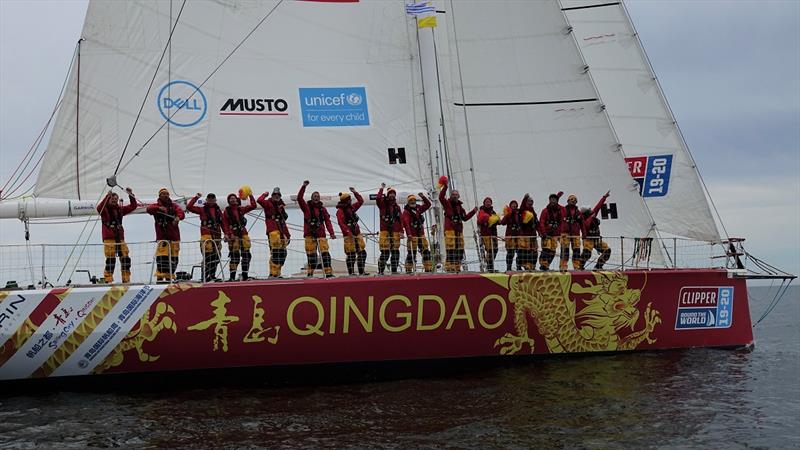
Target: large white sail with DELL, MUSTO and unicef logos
{"type": "Point", "coordinates": [321, 91]}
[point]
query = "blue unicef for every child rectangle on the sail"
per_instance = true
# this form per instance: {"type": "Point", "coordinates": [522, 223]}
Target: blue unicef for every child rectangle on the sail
{"type": "Point", "coordinates": [334, 107]}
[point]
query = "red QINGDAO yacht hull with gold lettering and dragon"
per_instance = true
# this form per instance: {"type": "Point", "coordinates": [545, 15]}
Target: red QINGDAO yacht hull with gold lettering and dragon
{"type": "Point", "coordinates": [289, 322]}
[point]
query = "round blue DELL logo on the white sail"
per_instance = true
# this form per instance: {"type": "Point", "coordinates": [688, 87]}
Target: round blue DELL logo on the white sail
{"type": "Point", "coordinates": [182, 104]}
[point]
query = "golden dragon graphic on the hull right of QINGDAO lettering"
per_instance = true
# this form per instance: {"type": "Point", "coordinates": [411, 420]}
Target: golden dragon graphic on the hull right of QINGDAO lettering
{"type": "Point", "coordinates": [598, 326]}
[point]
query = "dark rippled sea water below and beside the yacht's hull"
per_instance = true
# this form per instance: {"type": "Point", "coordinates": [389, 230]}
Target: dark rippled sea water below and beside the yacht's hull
{"type": "Point", "coordinates": [698, 397]}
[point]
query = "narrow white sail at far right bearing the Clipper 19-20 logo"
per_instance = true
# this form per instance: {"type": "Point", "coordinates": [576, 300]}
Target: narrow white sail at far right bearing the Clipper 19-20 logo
{"type": "Point", "coordinates": [657, 154]}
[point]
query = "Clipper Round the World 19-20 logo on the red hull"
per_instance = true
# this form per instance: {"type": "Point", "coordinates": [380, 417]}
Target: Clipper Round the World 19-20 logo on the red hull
{"type": "Point", "coordinates": [704, 307]}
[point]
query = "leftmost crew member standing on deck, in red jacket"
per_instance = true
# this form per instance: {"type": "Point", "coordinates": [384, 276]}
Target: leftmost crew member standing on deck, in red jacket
{"type": "Point", "coordinates": [111, 213]}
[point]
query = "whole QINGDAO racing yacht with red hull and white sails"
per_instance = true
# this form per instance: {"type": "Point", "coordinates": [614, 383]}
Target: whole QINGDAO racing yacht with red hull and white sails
{"type": "Point", "coordinates": [502, 98]}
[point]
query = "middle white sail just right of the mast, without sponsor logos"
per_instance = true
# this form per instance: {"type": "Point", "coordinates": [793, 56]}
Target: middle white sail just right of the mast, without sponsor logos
{"type": "Point", "coordinates": [514, 75]}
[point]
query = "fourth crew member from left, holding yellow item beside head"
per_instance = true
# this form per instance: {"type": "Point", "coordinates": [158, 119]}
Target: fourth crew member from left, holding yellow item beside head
{"type": "Point", "coordinates": [234, 222]}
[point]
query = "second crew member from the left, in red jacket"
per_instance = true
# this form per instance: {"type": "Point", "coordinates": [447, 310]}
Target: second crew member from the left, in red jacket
{"type": "Point", "coordinates": [167, 214]}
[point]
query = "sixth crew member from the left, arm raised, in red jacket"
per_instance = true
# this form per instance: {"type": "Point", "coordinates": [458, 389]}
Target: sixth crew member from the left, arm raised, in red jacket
{"type": "Point", "coordinates": [315, 214]}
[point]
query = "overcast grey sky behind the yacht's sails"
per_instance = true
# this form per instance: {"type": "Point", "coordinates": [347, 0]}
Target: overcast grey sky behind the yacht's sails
{"type": "Point", "coordinates": [730, 69]}
